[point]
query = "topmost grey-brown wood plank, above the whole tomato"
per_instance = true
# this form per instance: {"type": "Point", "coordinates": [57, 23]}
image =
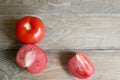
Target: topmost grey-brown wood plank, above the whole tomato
{"type": "Point", "coordinates": [81, 7]}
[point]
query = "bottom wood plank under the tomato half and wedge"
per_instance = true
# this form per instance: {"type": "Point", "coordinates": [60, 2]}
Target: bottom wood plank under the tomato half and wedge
{"type": "Point", "coordinates": [106, 62]}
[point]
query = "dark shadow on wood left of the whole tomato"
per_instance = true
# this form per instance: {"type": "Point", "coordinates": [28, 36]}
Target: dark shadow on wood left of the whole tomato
{"type": "Point", "coordinates": [9, 30]}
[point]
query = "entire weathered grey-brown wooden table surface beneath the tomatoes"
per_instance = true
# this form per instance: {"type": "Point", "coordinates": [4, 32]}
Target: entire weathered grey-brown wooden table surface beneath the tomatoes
{"type": "Point", "coordinates": [92, 26]}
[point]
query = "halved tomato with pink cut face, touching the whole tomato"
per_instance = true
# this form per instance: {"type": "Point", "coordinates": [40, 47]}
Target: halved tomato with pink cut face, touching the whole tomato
{"type": "Point", "coordinates": [32, 58]}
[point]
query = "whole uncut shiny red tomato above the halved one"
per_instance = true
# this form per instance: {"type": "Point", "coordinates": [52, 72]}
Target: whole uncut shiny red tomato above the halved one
{"type": "Point", "coordinates": [29, 29]}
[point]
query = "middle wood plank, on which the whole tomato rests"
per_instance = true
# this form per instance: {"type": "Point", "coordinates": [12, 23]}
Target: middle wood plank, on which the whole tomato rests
{"type": "Point", "coordinates": [67, 32]}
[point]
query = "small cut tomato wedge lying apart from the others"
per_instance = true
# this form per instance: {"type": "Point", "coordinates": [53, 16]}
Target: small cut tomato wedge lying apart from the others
{"type": "Point", "coordinates": [80, 66]}
